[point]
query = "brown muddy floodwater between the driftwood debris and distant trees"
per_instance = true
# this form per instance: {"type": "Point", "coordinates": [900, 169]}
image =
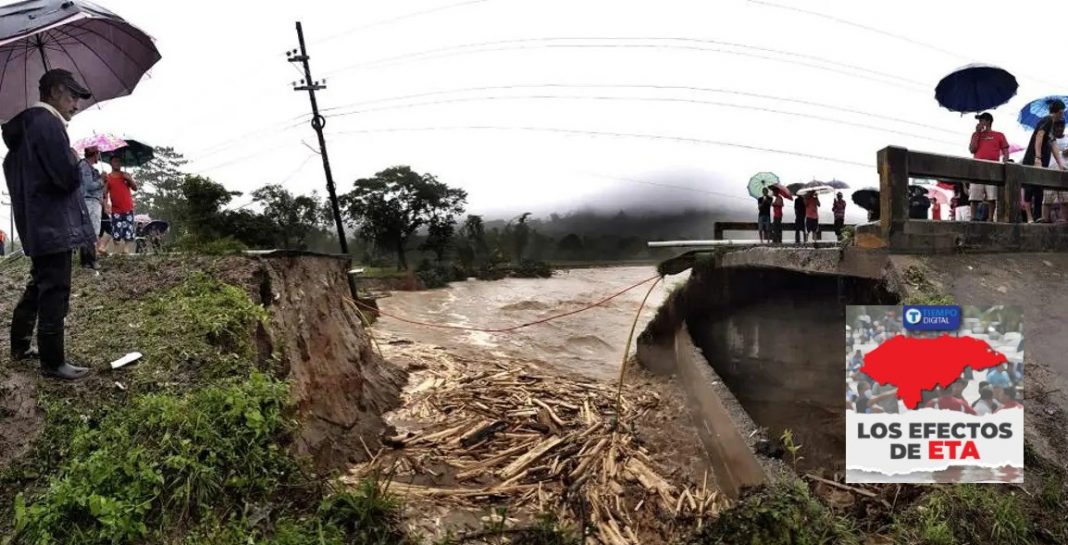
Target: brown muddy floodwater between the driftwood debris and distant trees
{"type": "Point", "coordinates": [590, 344]}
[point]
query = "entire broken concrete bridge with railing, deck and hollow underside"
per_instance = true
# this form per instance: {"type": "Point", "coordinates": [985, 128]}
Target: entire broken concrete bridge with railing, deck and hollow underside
{"type": "Point", "coordinates": [758, 334]}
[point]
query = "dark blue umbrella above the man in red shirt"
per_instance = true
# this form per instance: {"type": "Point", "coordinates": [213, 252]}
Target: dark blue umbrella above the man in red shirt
{"type": "Point", "coordinates": [976, 88]}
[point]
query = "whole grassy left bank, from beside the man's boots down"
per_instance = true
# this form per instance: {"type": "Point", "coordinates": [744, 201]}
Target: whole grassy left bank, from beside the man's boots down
{"type": "Point", "coordinates": [195, 450]}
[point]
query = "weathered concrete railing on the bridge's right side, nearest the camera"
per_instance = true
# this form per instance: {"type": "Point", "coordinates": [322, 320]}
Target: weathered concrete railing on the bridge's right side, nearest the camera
{"type": "Point", "coordinates": [898, 165]}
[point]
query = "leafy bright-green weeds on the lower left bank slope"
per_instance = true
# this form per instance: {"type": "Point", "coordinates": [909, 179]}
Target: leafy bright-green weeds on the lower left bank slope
{"type": "Point", "coordinates": [164, 461]}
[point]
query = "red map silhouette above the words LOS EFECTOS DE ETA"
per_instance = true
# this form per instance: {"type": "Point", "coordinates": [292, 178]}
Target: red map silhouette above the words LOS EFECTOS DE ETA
{"type": "Point", "coordinates": [915, 365]}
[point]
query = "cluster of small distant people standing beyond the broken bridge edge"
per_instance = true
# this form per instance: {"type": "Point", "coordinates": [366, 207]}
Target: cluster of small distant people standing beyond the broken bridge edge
{"type": "Point", "coordinates": [769, 216]}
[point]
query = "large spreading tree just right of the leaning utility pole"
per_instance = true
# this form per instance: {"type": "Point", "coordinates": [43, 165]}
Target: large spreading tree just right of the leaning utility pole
{"type": "Point", "coordinates": [391, 207]}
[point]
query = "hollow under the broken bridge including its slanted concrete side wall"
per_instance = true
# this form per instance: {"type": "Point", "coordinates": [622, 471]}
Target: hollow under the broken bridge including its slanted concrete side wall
{"type": "Point", "coordinates": [778, 349]}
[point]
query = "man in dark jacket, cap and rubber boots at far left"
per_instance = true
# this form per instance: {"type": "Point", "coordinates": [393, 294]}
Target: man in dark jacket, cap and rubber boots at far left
{"type": "Point", "coordinates": [51, 215]}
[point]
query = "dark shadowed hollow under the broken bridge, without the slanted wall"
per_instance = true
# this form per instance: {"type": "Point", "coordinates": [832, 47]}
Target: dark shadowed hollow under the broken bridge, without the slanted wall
{"type": "Point", "coordinates": [781, 352]}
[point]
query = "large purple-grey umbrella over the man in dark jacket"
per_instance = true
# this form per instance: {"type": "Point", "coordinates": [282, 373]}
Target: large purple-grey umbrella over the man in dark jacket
{"type": "Point", "coordinates": [105, 53]}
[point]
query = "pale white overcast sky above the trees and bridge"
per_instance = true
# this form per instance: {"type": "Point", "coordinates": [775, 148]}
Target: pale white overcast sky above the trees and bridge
{"type": "Point", "coordinates": [834, 94]}
